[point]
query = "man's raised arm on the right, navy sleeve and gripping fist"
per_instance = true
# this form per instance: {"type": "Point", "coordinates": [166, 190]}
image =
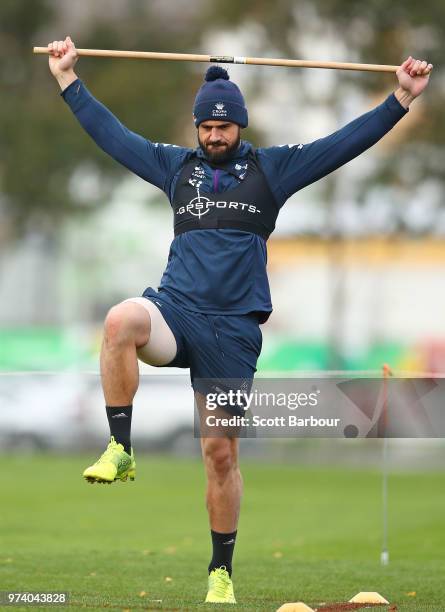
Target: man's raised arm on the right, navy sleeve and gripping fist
{"type": "Point", "coordinates": [296, 166]}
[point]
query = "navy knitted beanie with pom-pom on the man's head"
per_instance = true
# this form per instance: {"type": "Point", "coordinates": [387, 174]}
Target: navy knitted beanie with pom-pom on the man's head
{"type": "Point", "coordinates": [219, 99]}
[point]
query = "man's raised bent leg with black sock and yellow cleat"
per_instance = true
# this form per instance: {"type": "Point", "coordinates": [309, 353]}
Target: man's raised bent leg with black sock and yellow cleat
{"type": "Point", "coordinates": [134, 328]}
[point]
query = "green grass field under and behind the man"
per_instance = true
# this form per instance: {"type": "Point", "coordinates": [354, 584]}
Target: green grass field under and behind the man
{"type": "Point", "coordinates": [305, 534]}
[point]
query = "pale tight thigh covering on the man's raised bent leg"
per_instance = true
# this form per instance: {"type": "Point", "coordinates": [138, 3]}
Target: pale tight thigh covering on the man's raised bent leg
{"type": "Point", "coordinates": [161, 347]}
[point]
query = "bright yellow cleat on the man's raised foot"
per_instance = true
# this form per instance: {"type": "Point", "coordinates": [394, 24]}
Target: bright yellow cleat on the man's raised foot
{"type": "Point", "coordinates": [114, 464]}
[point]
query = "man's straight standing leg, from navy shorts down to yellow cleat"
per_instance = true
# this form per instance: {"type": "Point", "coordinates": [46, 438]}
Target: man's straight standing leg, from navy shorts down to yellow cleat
{"type": "Point", "coordinates": [223, 353]}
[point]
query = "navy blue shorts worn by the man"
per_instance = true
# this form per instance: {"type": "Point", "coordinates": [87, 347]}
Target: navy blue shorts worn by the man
{"type": "Point", "coordinates": [217, 347]}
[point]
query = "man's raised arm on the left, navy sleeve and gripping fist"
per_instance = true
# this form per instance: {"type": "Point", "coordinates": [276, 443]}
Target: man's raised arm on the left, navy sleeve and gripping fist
{"type": "Point", "coordinates": [153, 162]}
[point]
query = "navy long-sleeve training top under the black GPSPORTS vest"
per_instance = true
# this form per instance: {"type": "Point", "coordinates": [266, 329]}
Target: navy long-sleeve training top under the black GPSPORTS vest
{"type": "Point", "coordinates": [223, 271]}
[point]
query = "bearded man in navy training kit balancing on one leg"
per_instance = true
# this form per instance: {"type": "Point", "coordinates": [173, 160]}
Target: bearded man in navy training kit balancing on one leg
{"type": "Point", "coordinates": [214, 293]}
